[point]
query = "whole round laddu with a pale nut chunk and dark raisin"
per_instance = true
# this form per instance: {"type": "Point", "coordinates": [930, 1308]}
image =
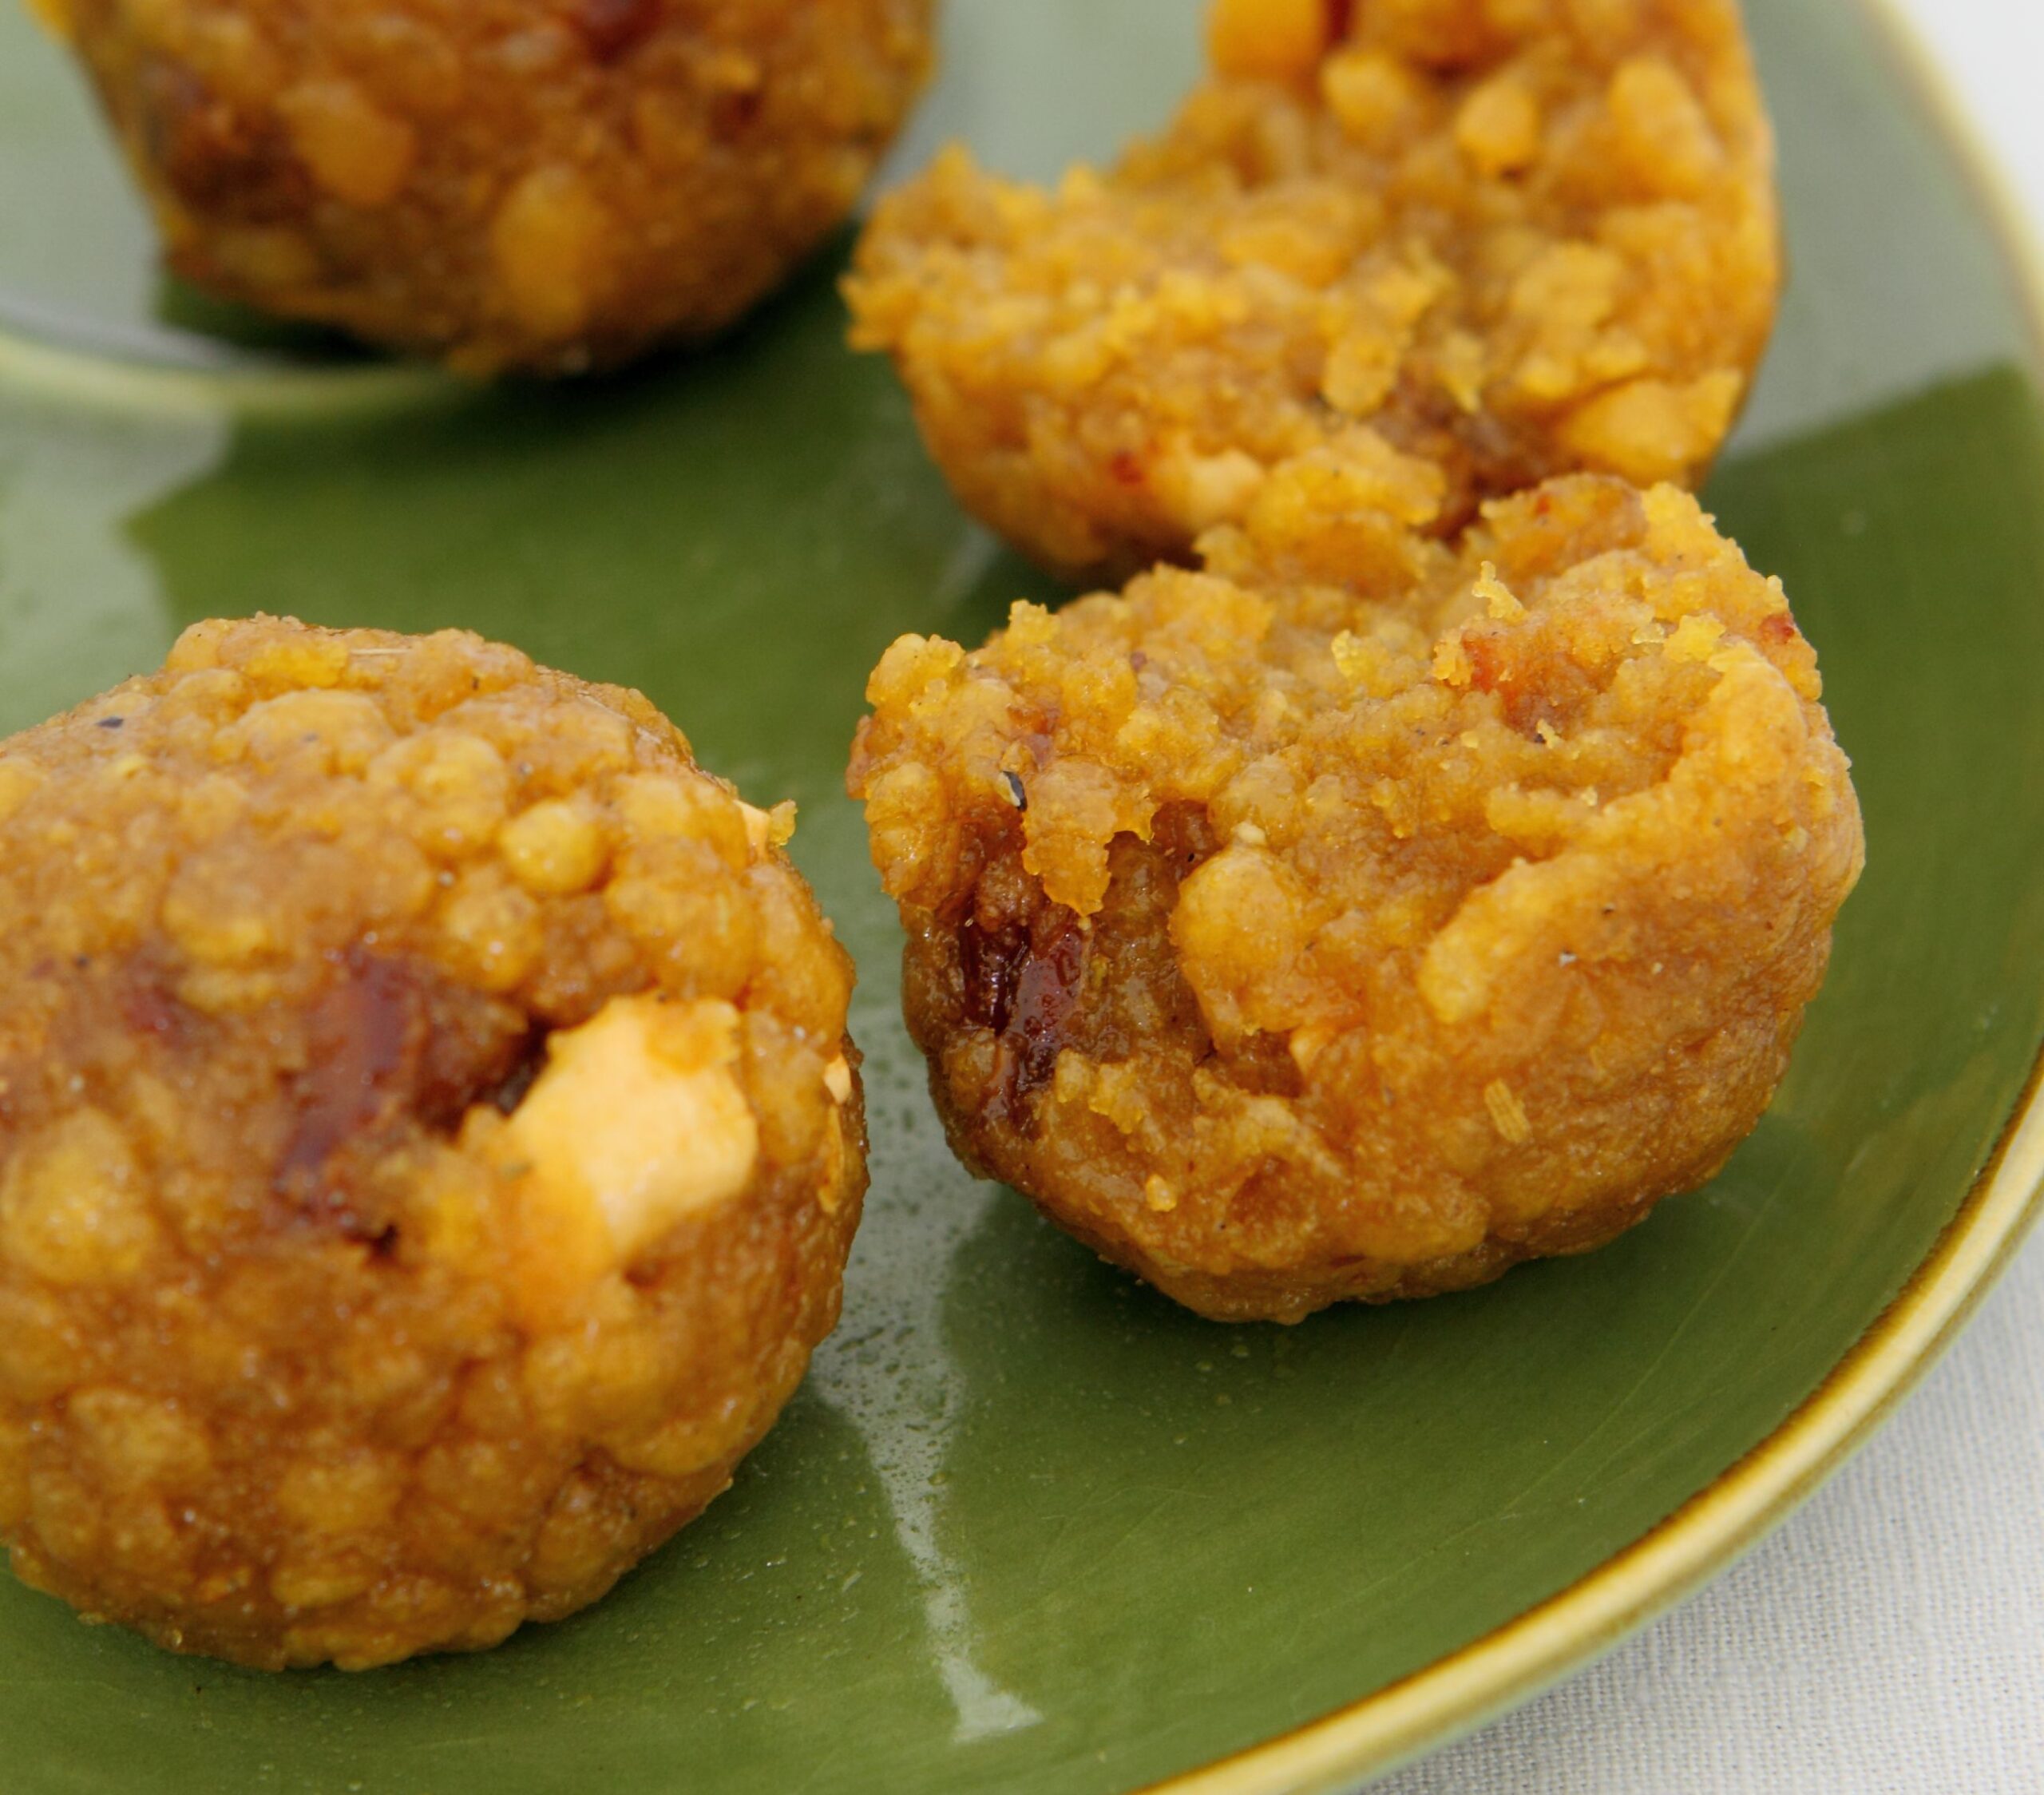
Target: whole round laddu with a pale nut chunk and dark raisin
{"type": "Point", "coordinates": [428, 1144]}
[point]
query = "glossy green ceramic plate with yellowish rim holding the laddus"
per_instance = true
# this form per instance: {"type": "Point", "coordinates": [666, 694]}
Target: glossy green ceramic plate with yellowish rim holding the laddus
{"type": "Point", "coordinates": [1029, 1528]}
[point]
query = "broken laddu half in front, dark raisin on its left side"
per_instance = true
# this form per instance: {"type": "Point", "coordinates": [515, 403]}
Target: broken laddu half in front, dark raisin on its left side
{"type": "Point", "coordinates": [1360, 917]}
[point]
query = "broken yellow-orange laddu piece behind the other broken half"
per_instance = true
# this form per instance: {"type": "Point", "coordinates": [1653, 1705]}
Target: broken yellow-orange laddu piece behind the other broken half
{"type": "Point", "coordinates": [1505, 238]}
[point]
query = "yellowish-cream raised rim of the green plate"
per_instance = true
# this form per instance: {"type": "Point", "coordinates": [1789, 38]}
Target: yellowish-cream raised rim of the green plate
{"type": "Point", "coordinates": [1673, 1561]}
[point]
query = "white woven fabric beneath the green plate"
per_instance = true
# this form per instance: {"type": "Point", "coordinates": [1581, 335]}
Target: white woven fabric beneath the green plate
{"type": "Point", "coordinates": [1890, 1641]}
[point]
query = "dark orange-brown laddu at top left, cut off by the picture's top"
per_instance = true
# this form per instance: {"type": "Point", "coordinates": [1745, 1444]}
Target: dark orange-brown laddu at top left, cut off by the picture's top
{"type": "Point", "coordinates": [502, 183]}
